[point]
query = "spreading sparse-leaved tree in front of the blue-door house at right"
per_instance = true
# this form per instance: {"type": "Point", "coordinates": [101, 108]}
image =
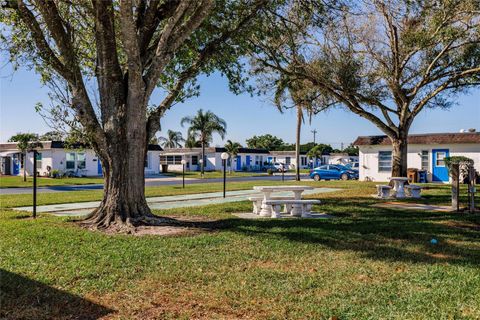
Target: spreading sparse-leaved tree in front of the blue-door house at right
{"type": "Point", "coordinates": [385, 61]}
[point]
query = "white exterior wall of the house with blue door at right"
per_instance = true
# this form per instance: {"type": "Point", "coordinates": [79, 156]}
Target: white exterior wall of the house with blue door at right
{"type": "Point", "coordinates": [368, 158]}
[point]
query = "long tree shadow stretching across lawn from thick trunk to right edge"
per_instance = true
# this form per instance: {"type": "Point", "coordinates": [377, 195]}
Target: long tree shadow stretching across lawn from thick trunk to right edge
{"type": "Point", "coordinates": [383, 234]}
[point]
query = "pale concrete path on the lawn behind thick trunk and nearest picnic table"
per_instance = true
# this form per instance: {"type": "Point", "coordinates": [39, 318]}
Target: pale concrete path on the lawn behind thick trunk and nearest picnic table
{"type": "Point", "coordinates": [167, 202]}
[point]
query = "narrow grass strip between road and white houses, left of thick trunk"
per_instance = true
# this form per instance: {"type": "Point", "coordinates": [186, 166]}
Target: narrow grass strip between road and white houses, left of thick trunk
{"type": "Point", "coordinates": [17, 181]}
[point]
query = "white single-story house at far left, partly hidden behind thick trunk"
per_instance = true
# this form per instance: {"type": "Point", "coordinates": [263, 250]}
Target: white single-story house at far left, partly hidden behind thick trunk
{"type": "Point", "coordinates": [54, 156]}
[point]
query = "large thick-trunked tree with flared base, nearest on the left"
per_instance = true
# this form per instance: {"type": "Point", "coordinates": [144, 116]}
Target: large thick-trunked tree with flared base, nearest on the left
{"type": "Point", "coordinates": [111, 56]}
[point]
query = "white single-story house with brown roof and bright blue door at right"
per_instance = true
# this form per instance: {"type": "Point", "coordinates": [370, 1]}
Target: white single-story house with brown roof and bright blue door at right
{"type": "Point", "coordinates": [425, 152]}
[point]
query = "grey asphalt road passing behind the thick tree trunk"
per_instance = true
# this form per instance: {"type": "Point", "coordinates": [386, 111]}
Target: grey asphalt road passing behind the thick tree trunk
{"type": "Point", "coordinates": [149, 182]}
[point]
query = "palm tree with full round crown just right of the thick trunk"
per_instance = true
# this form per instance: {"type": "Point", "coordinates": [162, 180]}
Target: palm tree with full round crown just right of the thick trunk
{"type": "Point", "coordinates": [202, 127]}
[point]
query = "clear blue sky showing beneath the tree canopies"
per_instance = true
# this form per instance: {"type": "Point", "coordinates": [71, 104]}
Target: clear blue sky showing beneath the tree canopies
{"type": "Point", "coordinates": [245, 116]}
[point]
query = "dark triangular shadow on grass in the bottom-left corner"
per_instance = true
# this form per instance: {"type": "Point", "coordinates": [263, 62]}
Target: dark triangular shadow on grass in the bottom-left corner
{"type": "Point", "coordinates": [23, 298]}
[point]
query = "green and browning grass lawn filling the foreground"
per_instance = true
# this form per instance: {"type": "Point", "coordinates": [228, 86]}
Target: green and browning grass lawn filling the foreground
{"type": "Point", "coordinates": [367, 263]}
